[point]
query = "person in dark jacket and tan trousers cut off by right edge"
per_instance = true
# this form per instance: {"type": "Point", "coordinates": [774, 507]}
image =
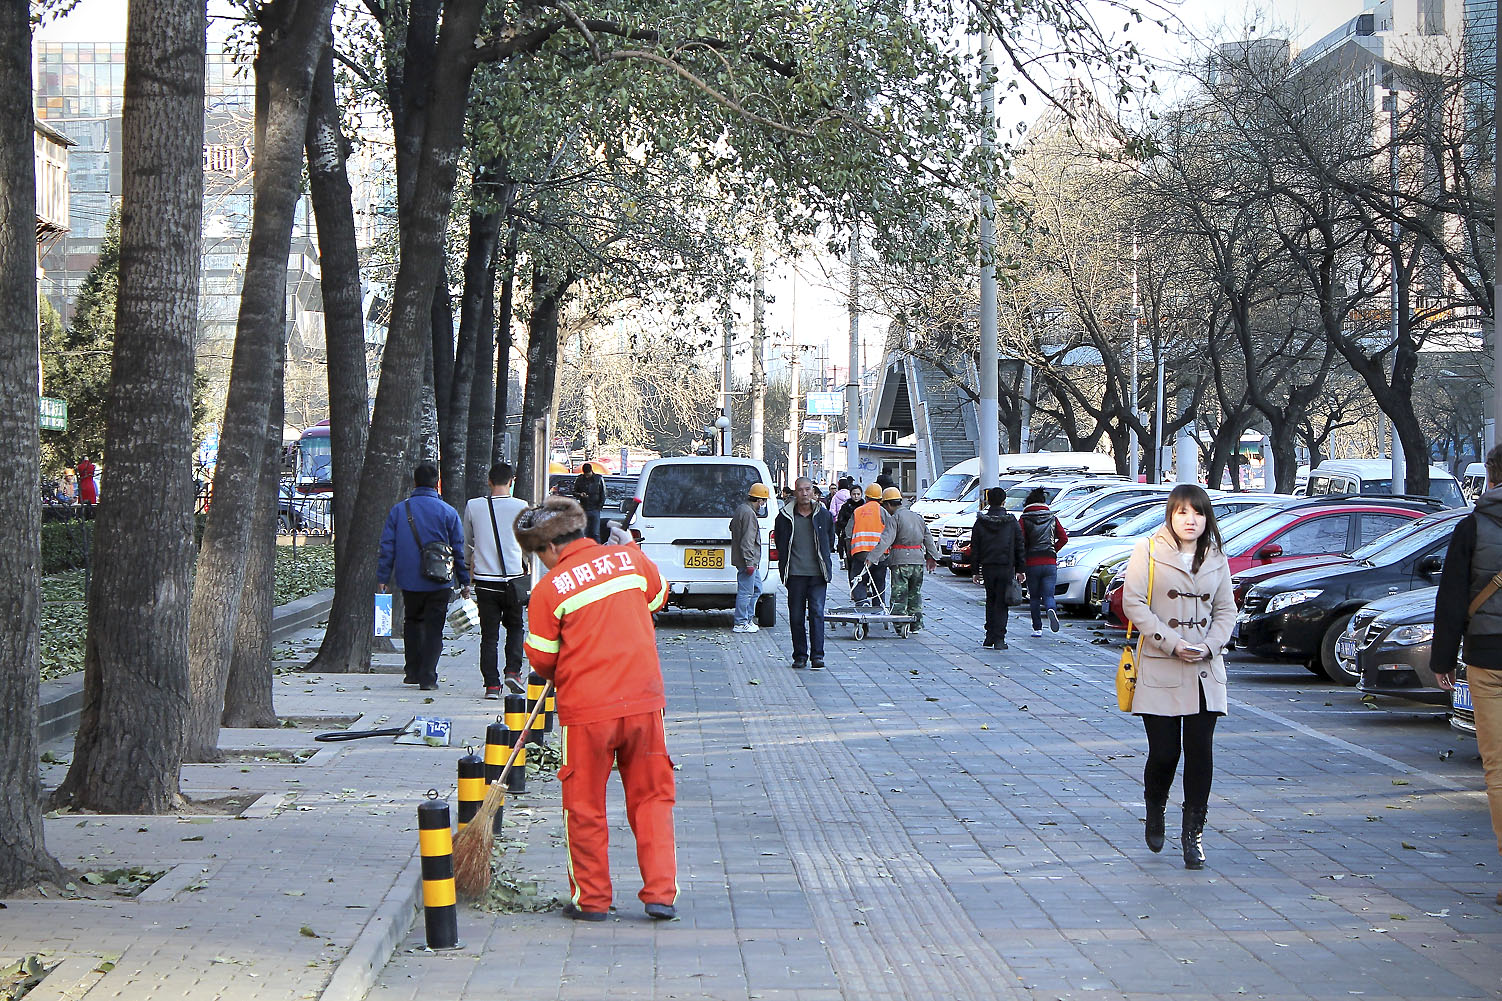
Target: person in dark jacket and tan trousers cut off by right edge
{"type": "Point", "coordinates": [1470, 603]}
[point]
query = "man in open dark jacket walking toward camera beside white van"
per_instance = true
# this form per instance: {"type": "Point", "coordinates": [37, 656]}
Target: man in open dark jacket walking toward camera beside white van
{"type": "Point", "coordinates": [804, 537]}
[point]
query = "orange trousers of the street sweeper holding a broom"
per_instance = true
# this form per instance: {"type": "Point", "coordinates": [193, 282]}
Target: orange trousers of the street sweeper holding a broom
{"type": "Point", "coordinates": [639, 746]}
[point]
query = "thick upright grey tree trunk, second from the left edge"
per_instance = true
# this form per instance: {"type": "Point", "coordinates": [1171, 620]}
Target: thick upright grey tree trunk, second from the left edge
{"type": "Point", "coordinates": [130, 746]}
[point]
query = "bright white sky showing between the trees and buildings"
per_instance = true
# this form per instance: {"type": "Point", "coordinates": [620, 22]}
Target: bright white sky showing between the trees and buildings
{"type": "Point", "coordinates": [813, 285]}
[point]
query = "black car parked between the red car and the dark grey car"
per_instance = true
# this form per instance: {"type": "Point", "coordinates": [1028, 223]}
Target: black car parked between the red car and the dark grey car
{"type": "Point", "coordinates": [1303, 614]}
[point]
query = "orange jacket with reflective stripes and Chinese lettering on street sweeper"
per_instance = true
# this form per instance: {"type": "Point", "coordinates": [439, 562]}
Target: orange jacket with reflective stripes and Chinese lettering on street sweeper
{"type": "Point", "coordinates": [590, 629]}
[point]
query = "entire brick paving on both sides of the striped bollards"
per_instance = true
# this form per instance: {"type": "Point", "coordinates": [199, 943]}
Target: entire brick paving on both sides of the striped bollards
{"type": "Point", "coordinates": [924, 820]}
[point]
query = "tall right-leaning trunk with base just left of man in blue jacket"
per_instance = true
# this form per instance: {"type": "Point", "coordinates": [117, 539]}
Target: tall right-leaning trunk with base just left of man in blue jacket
{"type": "Point", "coordinates": [400, 390]}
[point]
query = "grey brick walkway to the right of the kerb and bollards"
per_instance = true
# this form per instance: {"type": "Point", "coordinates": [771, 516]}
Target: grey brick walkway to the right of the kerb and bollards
{"type": "Point", "coordinates": [929, 820]}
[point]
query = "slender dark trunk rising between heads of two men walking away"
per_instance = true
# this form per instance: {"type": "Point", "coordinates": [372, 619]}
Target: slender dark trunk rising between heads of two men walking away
{"type": "Point", "coordinates": [454, 437]}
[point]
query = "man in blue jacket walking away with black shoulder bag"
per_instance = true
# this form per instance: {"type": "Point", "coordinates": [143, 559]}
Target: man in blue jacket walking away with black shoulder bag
{"type": "Point", "coordinates": [423, 521]}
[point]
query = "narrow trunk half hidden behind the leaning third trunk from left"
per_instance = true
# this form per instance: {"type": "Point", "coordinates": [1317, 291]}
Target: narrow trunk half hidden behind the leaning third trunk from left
{"type": "Point", "coordinates": [249, 691]}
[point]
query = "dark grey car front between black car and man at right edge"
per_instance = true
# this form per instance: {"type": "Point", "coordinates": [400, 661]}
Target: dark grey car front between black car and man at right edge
{"type": "Point", "coordinates": [1389, 646]}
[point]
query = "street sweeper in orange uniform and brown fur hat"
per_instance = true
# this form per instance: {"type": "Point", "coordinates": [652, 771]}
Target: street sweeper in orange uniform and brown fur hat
{"type": "Point", "coordinates": [590, 631]}
